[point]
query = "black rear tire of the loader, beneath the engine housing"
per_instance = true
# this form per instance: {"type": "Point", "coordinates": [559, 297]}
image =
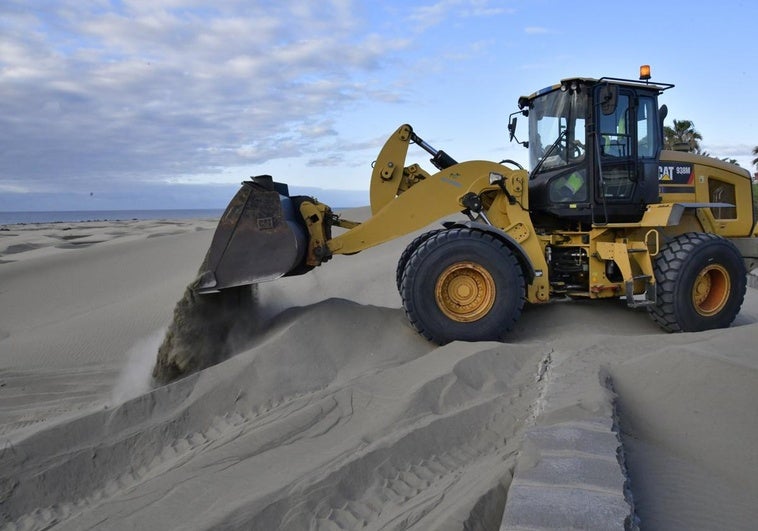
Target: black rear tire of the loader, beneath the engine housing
{"type": "Point", "coordinates": [678, 267]}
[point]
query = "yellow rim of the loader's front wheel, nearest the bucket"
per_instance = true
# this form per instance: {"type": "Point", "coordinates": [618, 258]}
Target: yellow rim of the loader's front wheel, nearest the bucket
{"type": "Point", "coordinates": [465, 292]}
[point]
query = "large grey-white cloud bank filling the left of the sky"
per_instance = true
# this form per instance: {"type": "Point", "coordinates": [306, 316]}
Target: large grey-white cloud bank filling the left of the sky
{"type": "Point", "coordinates": [95, 92]}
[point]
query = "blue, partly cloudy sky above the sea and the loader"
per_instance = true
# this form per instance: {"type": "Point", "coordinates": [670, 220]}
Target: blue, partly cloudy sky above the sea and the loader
{"type": "Point", "coordinates": [131, 104]}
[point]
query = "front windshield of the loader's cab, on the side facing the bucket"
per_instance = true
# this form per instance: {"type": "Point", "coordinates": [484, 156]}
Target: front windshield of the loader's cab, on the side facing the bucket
{"type": "Point", "coordinates": [556, 130]}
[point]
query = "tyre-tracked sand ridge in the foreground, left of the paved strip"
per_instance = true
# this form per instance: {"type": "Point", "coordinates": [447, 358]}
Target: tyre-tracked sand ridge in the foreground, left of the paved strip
{"type": "Point", "coordinates": [378, 426]}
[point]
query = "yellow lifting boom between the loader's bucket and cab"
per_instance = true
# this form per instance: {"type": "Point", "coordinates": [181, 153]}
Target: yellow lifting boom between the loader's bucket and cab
{"type": "Point", "coordinates": [406, 199]}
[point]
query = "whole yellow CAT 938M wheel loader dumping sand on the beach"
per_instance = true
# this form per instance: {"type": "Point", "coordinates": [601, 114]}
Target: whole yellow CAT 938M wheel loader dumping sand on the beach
{"type": "Point", "coordinates": [603, 212]}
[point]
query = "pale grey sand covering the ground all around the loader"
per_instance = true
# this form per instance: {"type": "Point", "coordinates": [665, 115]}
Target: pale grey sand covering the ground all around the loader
{"type": "Point", "coordinates": [331, 412]}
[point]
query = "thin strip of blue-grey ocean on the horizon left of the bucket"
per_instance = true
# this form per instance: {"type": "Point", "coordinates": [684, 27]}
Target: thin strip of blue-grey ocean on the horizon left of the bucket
{"type": "Point", "coordinates": [9, 218]}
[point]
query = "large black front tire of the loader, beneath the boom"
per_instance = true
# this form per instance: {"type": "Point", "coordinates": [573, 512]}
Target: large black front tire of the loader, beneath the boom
{"type": "Point", "coordinates": [432, 261]}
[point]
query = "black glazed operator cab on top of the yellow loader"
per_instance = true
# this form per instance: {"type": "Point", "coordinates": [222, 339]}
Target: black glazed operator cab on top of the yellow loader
{"type": "Point", "coordinates": [593, 150]}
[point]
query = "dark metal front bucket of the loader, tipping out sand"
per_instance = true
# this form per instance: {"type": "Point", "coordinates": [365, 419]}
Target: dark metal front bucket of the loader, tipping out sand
{"type": "Point", "coordinates": [260, 237]}
